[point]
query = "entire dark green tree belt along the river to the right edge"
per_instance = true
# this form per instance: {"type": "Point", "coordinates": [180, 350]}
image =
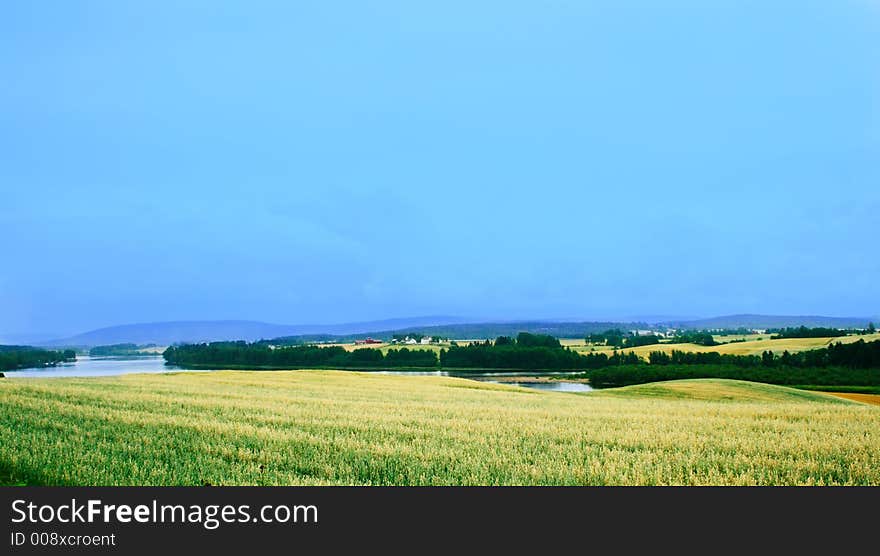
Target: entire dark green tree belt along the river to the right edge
{"type": "Point", "coordinates": [854, 364]}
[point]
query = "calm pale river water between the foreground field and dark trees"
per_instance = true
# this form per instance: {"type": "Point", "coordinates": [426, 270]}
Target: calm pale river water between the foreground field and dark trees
{"type": "Point", "coordinates": [109, 366]}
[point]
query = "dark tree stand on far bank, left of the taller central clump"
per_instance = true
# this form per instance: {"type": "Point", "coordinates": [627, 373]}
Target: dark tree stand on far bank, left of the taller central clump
{"type": "Point", "coordinates": [245, 355]}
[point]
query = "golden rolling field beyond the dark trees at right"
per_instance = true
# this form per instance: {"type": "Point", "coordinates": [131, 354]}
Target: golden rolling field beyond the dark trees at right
{"type": "Point", "coordinates": [752, 347]}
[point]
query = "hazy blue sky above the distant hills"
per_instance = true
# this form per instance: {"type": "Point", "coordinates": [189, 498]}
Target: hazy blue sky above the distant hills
{"type": "Point", "coordinates": [314, 162]}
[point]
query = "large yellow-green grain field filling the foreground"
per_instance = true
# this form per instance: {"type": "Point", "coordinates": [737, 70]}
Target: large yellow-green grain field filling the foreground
{"type": "Point", "coordinates": [344, 428]}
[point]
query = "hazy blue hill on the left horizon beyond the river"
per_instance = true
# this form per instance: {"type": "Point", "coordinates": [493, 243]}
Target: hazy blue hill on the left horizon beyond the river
{"type": "Point", "coordinates": [166, 333]}
